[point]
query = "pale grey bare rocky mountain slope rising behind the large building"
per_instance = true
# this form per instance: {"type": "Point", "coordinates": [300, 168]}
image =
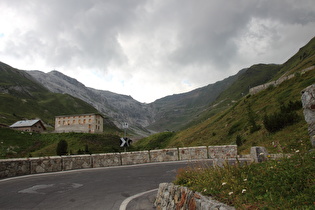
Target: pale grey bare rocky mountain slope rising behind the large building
{"type": "Point", "coordinates": [120, 108]}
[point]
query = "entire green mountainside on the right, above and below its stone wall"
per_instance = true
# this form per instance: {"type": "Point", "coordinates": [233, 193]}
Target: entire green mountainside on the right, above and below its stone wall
{"type": "Point", "coordinates": [235, 123]}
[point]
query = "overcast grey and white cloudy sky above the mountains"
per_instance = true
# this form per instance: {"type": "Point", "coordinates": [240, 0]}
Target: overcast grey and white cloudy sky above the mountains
{"type": "Point", "coordinates": [151, 48]}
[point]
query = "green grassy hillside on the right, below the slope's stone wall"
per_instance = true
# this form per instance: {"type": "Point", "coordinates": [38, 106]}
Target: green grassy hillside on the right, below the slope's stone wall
{"type": "Point", "coordinates": [216, 130]}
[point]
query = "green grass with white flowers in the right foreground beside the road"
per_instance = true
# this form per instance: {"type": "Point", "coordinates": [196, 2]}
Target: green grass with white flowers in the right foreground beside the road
{"type": "Point", "coordinates": [276, 184]}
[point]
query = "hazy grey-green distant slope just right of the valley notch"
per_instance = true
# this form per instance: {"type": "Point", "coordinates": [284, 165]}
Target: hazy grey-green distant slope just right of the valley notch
{"type": "Point", "coordinates": [173, 112]}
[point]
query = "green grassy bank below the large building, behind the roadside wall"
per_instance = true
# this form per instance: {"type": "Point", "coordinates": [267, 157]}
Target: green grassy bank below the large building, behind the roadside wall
{"type": "Point", "coordinates": [17, 144]}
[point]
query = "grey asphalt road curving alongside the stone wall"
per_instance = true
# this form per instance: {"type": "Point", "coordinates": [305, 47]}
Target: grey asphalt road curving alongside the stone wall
{"type": "Point", "coordinates": [98, 188]}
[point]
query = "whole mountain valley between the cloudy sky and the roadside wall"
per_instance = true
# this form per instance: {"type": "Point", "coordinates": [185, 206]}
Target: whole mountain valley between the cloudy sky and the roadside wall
{"type": "Point", "coordinates": [220, 113]}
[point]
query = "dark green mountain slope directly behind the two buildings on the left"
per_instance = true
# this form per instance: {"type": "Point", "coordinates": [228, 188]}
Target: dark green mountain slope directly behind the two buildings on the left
{"type": "Point", "coordinates": [21, 97]}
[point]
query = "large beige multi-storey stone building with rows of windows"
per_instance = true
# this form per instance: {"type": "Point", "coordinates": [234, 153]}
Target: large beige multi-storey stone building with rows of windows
{"type": "Point", "coordinates": [81, 123]}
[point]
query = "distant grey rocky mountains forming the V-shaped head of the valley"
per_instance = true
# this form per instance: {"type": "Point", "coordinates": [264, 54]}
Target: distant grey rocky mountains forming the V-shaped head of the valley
{"type": "Point", "coordinates": [167, 113]}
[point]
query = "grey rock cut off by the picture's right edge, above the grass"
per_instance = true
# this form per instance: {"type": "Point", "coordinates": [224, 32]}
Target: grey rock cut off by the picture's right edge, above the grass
{"type": "Point", "coordinates": [308, 102]}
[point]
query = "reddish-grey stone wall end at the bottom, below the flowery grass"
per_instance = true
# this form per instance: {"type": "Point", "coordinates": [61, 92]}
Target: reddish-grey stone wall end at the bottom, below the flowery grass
{"type": "Point", "coordinates": [172, 196]}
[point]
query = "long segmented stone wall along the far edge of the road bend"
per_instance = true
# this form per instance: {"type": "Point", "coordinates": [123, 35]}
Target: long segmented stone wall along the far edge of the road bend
{"type": "Point", "coordinates": [25, 166]}
